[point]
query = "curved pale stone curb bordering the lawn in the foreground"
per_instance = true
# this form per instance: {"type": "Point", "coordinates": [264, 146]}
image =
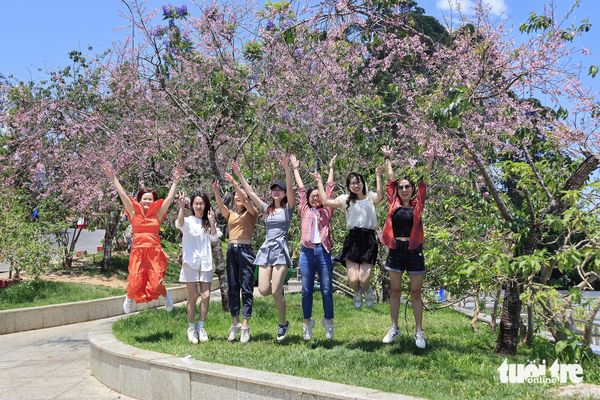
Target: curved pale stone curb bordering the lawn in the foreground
{"type": "Point", "coordinates": [149, 375]}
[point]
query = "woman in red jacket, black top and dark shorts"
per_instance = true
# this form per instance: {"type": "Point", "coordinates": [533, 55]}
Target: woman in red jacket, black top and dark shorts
{"type": "Point", "coordinates": [403, 235]}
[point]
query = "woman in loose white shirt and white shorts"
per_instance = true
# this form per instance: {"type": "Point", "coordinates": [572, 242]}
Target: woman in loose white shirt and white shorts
{"type": "Point", "coordinates": [199, 229]}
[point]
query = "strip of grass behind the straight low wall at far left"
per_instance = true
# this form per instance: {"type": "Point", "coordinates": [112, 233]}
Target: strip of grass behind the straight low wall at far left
{"type": "Point", "coordinates": [42, 293]}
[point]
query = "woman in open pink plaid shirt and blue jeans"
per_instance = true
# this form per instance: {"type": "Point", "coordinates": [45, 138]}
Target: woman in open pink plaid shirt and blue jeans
{"type": "Point", "coordinates": [315, 255]}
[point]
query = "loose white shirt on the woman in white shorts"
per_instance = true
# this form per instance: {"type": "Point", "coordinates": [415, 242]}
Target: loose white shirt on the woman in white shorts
{"type": "Point", "coordinates": [196, 243]}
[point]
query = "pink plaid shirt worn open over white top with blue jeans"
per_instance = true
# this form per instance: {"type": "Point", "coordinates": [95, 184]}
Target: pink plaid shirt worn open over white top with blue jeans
{"type": "Point", "coordinates": [307, 216]}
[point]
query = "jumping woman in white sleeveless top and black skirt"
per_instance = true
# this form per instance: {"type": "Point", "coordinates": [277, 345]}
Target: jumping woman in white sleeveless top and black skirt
{"type": "Point", "coordinates": [359, 253]}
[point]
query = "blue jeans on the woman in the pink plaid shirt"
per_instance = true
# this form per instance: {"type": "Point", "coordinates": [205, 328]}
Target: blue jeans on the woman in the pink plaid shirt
{"type": "Point", "coordinates": [313, 261]}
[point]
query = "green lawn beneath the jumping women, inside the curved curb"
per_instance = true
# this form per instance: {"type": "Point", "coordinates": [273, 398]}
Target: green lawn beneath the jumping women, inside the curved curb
{"type": "Point", "coordinates": [457, 363]}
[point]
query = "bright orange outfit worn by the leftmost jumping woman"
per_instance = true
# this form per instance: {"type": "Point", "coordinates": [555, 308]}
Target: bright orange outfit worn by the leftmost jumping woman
{"type": "Point", "coordinates": [147, 260]}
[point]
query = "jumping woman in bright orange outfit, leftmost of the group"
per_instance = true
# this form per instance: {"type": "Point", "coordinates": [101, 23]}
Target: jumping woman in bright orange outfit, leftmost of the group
{"type": "Point", "coordinates": [147, 260]}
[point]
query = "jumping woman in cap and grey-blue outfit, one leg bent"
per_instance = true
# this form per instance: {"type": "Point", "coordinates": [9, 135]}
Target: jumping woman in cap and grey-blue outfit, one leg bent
{"type": "Point", "coordinates": [273, 257]}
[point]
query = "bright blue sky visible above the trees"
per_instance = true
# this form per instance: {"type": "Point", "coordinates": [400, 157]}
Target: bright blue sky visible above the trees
{"type": "Point", "coordinates": [39, 38]}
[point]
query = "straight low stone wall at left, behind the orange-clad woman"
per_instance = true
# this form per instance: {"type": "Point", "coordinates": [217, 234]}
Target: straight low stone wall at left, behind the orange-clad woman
{"type": "Point", "coordinates": [25, 319]}
